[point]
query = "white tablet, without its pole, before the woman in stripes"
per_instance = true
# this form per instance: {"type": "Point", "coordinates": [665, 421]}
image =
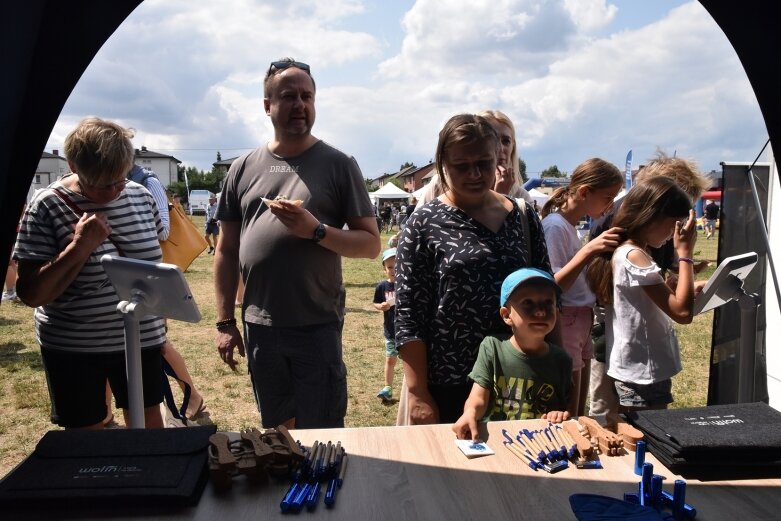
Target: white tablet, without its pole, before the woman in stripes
{"type": "Point", "coordinates": [161, 288]}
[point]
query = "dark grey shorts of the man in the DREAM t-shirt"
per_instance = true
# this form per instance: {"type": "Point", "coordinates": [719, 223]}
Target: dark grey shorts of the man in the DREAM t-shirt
{"type": "Point", "coordinates": [298, 373]}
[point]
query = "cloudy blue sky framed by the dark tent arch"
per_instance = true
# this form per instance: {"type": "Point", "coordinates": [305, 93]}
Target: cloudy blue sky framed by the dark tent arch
{"type": "Point", "coordinates": [578, 78]}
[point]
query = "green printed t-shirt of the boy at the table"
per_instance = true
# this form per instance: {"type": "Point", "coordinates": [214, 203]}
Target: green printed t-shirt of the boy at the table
{"type": "Point", "coordinates": [522, 387]}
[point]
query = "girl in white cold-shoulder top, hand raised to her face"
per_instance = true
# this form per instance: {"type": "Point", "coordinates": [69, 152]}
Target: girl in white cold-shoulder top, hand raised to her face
{"type": "Point", "coordinates": [642, 347]}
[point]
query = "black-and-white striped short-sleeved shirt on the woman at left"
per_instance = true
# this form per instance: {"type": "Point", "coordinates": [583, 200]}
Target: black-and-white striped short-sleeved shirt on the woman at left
{"type": "Point", "coordinates": [85, 316]}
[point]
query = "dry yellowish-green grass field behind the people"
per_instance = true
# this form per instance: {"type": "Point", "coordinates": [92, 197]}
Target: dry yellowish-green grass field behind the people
{"type": "Point", "coordinates": [24, 401]}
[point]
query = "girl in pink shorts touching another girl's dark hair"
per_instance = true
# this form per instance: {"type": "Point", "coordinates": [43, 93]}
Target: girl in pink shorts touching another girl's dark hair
{"type": "Point", "coordinates": [593, 186]}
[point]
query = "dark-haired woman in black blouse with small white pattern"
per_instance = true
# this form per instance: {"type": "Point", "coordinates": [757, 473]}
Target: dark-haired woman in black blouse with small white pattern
{"type": "Point", "coordinates": [452, 258]}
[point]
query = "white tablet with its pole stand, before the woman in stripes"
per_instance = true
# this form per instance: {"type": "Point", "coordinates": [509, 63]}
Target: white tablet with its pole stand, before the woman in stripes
{"type": "Point", "coordinates": [146, 288]}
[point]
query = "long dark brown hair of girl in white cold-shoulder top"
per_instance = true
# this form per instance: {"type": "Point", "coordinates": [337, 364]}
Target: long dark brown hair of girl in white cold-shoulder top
{"type": "Point", "coordinates": [646, 203]}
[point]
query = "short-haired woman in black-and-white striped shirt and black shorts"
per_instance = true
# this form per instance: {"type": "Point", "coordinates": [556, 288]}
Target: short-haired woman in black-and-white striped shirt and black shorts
{"type": "Point", "coordinates": [65, 230]}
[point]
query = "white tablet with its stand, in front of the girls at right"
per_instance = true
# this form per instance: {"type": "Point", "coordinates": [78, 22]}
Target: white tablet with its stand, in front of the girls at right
{"type": "Point", "coordinates": [726, 285]}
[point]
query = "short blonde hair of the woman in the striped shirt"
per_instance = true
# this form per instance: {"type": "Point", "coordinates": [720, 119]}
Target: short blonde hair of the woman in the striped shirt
{"type": "Point", "coordinates": [100, 151]}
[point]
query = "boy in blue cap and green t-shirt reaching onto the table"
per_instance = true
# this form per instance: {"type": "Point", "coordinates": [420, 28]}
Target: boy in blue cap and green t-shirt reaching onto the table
{"type": "Point", "coordinates": [523, 377]}
